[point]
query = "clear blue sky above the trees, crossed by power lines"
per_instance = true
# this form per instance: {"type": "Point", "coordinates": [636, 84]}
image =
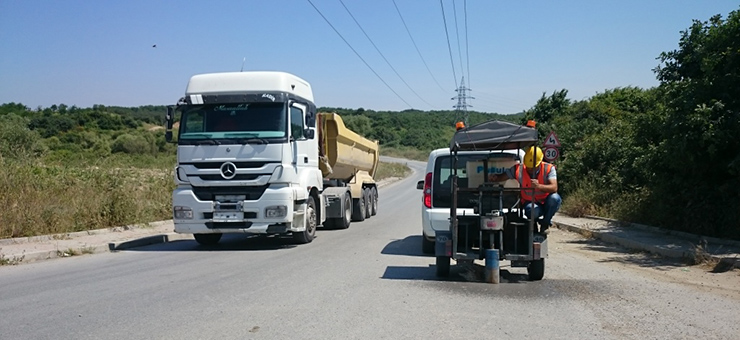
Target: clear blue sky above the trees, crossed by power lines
{"type": "Point", "coordinates": [100, 52]}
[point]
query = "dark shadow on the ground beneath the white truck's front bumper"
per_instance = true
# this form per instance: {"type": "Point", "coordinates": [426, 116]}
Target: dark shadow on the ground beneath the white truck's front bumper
{"type": "Point", "coordinates": [229, 242]}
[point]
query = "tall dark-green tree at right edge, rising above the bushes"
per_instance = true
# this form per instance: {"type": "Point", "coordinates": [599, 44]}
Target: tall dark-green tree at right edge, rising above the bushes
{"type": "Point", "coordinates": [700, 152]}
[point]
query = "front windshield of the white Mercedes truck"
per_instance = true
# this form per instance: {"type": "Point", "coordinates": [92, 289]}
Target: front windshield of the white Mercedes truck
{"type": "Point", "coordinates": [237, 123]}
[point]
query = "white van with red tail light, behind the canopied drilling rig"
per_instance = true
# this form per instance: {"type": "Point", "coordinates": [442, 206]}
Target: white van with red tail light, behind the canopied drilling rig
{"type": "Point", "coordinates": [437, 187]}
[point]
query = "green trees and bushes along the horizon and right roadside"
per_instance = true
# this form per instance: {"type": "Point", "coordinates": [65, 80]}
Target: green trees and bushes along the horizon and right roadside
{"type": "Point", "coordinates": [667, 156]}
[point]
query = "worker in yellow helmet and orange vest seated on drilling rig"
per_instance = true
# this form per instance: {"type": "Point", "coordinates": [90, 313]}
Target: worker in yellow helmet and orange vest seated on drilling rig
{"type": "Point", "coordinates": [543, 178]}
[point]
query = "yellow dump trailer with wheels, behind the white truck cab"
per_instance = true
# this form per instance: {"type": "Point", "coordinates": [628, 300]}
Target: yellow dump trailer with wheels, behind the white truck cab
{"type": "Point", "coordinates": [348, 161]}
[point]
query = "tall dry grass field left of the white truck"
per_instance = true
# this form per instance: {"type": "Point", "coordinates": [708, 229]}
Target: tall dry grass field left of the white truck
{"type": "Point", "coordinates": [54, 199]}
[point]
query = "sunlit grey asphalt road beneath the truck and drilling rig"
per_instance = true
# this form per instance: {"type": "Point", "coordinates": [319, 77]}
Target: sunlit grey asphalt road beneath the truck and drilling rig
{"type": "Point", "coordinates": [367, 282]}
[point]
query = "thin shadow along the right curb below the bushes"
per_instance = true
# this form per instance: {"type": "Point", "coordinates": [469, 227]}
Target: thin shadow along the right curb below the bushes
{"type": "Point", "coordinates": [625, 255]}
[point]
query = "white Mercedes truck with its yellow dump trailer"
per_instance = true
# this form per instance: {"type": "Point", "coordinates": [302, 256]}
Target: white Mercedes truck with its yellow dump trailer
{"type": "Point", "coordinates": [253, 156]}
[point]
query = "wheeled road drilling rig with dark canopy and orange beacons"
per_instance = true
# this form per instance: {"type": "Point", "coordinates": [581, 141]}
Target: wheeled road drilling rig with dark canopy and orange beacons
{"type": "Point", "coordinates": [497, 229]}
